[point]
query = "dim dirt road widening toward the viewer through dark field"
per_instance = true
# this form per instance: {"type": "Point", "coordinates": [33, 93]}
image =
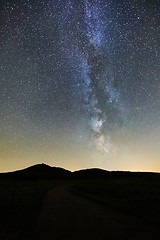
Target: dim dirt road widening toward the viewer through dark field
{"type": "Point", "coordinates": [66, 215]}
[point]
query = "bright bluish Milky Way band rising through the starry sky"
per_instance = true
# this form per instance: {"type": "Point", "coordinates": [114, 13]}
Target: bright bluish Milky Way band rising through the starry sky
{"type": "Point", "coordinates": [101, 96]}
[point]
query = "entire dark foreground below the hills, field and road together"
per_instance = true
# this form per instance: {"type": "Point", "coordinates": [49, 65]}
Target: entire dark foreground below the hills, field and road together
{"type": "Point", "coordinates": [117, 206]}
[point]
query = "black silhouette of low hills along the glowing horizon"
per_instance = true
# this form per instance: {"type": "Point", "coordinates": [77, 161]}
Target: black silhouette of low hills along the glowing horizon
{"type": "Point", "coordinates": [43, 171]}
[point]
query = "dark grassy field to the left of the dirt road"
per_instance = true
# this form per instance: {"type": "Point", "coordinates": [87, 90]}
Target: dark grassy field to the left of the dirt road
{"type": "Point", "coordinates": [20, 204]}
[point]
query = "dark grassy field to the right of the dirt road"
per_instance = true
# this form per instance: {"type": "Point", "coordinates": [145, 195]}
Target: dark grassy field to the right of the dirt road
{"type": "Point", "coordinates": [139, 198]}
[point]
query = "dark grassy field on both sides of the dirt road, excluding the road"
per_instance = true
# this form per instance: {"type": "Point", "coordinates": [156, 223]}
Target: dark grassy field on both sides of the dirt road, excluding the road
{"type": "Point", "coordinates": [22, 201]}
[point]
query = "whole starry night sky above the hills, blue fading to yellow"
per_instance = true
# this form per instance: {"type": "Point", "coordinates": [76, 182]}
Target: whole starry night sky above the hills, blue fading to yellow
{"type": "Point", "coordinates": [80, 84]}
